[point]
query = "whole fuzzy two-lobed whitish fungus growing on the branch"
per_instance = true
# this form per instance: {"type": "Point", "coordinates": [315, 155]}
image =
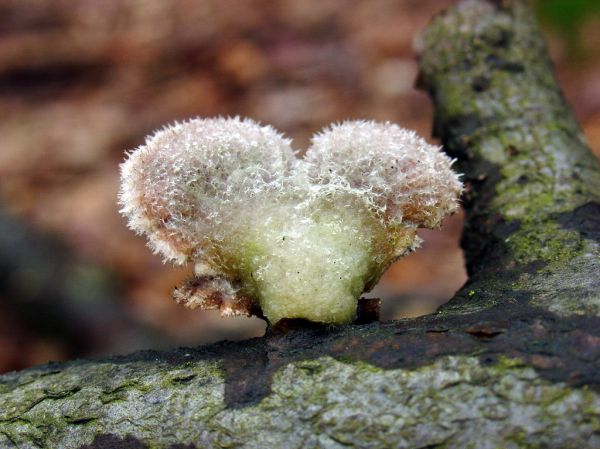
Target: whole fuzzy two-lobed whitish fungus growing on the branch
{"type": "Point", "coordinates": [277, 236]}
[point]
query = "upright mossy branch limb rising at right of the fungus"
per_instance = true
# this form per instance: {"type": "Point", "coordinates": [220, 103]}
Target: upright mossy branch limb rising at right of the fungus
{"type": "Point", "coordinates": [533, 224]}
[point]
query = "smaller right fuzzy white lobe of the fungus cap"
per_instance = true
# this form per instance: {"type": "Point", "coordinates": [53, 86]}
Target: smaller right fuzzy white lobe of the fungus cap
{"type": "Point", "coordinates": [406, 180]}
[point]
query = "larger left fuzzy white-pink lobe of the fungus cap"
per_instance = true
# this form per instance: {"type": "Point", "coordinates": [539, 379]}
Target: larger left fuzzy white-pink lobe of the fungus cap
{"type": "Point", "coordinates": [181, 184]}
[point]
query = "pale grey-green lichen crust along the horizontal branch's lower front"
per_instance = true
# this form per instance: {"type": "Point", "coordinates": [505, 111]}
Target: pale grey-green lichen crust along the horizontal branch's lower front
{"type": "Point", "coordinates": [313, 404]}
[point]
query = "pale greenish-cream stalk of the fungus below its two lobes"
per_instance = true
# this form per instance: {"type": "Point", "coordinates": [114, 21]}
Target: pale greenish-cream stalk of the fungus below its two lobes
{"type": "Point", "coordinates": [310, 260]}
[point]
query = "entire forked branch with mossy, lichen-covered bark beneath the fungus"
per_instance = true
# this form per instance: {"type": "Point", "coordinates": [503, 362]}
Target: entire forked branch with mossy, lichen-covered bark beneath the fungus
{"type": "Point", "coordinates": [512, 361]}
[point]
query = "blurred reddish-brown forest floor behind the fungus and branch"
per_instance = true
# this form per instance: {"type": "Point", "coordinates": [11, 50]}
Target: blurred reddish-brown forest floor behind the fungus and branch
{"type": "Point", "coordinates": [82, 81]}
